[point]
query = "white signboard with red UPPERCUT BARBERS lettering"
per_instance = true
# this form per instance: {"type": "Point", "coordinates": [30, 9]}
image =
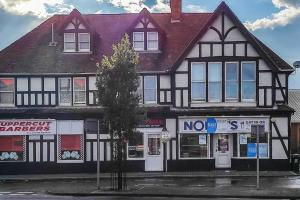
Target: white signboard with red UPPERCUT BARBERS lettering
{"type": "Point", "coordinates": [28, 127]}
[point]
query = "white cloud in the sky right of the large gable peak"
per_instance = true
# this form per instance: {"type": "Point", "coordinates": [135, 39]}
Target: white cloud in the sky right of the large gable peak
{"type": "Point", "coordinates": [290, 10]}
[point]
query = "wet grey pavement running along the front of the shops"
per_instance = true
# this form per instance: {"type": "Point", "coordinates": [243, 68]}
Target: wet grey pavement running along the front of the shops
{"type": "Point", "coordinates": [210, 184]}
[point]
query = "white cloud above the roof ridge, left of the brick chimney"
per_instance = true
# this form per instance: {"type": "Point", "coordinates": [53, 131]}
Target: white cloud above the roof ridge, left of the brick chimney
{"type": "Point", "coordinates": [135, 6]}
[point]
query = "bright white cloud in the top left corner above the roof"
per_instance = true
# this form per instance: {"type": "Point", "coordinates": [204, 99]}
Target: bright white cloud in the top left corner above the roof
{"type": "Point", "coordinates": [38, 8]}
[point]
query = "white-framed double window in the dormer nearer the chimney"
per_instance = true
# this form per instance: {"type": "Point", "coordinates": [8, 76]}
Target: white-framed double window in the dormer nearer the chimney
{"type": "Point", "coordinates": [145, 41]}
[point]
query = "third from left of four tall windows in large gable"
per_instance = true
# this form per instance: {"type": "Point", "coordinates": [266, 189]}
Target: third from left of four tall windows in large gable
{"type": "Point", "coordinates": [231, 77]}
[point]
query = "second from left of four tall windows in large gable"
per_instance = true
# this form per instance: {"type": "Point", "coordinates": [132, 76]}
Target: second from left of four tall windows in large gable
{"type": "Point", "coordinates": [215, 82]}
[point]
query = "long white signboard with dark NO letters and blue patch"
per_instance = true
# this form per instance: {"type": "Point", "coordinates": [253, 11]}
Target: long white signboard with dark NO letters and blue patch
{"type": "Point", "coordinates": [221, 125]}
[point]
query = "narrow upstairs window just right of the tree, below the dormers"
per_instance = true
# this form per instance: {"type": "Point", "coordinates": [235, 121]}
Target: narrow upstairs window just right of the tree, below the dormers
{"type": "Point", "coordinates": [150, 89]}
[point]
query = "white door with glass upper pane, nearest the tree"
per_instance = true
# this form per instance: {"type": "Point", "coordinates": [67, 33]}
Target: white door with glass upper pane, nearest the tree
{"type": "Point", "coordinates": [153, 158]}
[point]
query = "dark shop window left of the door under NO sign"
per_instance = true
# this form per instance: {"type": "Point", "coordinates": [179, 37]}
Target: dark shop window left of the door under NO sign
{"type": "Point", "coordinates": [193, 145]}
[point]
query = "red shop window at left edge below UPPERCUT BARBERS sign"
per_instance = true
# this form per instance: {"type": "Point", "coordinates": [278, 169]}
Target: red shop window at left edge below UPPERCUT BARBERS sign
{"type": "Point", "coordinates": [12, 148]}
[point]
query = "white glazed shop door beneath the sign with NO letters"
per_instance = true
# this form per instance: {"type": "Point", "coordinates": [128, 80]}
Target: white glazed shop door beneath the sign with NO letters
{"type": "Point", "coordinates": [223, 151]}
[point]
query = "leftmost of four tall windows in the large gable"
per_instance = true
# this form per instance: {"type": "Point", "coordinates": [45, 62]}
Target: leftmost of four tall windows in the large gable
{"type": "Point", "coordinates": [198, 82]}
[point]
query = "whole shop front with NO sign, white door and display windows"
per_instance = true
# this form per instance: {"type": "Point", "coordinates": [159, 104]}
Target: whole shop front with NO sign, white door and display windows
{"type": "Point", "coordinates": [224, 141]}
